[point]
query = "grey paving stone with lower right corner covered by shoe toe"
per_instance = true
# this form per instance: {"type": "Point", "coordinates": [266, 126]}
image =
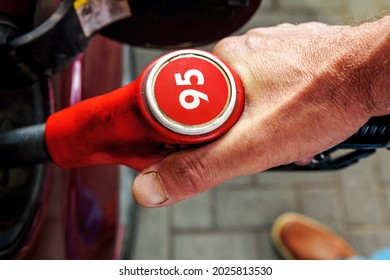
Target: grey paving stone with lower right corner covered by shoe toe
{"type": "Point", "coordinates": [252, 208]}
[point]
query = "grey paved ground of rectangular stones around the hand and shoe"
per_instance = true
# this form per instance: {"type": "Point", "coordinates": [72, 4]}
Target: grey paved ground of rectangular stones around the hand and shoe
{"type": "Point", "coordinates": [233, 221]}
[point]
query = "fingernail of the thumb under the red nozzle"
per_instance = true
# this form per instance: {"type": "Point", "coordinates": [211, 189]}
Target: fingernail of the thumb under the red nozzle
{"type": "Point", "coordinates": [149, 190]}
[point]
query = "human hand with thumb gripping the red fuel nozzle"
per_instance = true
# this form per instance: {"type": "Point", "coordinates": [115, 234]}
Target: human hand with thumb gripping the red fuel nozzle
{"type": "Point", "coordinates": [308, 87]}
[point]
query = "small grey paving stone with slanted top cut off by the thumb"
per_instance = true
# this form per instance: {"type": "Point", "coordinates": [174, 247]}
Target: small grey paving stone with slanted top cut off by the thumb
{"type": "Point", "coordinates": [194, 213]}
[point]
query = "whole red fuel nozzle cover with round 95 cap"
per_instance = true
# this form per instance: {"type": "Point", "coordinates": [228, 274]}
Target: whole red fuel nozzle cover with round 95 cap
{"type": "Point", "coordinates": [183, 98]}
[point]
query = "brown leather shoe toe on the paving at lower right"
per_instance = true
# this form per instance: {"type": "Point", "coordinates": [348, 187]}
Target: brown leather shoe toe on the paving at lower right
{"type": "Point", "coordinates": [298, 237]}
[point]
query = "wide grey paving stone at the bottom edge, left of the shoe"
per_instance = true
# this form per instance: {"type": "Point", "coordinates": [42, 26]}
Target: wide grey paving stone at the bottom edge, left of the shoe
{"type": "Point", "coordinates": [208, 246]}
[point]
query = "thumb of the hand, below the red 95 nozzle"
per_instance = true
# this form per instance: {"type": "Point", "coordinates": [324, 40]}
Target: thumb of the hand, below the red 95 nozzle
{"type": "Point", "coordinates": [180, 176]}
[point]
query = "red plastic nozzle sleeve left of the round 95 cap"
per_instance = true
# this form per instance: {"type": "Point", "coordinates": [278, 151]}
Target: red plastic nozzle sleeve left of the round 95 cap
{"type": "Point", "coordinates": [108, 129]}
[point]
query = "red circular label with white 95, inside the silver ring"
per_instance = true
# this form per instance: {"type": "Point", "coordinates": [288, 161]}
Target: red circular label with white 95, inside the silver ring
{"type": "Point", "coordinates": [191, 90]}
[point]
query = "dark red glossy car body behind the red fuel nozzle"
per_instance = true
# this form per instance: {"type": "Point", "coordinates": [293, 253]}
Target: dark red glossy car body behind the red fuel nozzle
{"type": "Point", "coordinates": [81, 212]}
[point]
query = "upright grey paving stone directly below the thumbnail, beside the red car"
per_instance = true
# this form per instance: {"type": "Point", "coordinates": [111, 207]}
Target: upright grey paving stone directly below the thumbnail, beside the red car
{"type": "Point", "coordinates": [153, 235]}
